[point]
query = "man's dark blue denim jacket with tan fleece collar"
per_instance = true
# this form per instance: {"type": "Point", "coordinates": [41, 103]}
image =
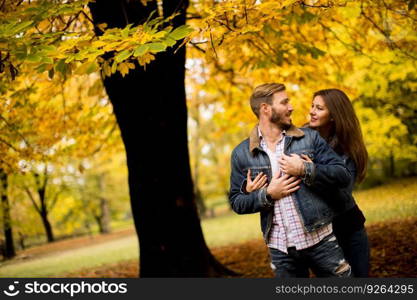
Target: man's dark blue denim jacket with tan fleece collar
{"type": "Point", "coordinates": [312, 204]}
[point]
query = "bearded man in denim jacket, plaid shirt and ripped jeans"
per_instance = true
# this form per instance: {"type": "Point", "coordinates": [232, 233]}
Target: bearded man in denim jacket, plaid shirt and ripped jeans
{"type": "Point", "coordinates": [295, 216]}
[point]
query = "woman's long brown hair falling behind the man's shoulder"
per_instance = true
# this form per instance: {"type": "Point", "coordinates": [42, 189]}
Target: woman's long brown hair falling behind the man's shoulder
{"type": "Point", "coordinates": [346, 131]}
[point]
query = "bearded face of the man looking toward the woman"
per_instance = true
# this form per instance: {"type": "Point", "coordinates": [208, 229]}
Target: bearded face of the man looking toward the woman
{"type": "Point", "coordinates": [281, 110]}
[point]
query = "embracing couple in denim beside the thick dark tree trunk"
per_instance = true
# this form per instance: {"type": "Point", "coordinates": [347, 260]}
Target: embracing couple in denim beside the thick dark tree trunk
{"type": "Point", "coordinates": [301, 181]}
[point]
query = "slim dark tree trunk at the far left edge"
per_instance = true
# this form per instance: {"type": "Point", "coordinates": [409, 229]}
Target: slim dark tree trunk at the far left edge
{"type": "Point", "coordinates": [9, 250]}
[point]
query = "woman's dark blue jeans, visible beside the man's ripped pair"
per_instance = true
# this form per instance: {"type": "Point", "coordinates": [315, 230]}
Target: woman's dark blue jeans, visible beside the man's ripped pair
{"type": "Point", "coordinates": [355, 246]}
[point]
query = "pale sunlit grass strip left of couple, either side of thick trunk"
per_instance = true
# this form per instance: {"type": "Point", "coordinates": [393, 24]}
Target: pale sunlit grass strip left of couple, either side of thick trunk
{"type": "Point", "coordinates": [217, 232]}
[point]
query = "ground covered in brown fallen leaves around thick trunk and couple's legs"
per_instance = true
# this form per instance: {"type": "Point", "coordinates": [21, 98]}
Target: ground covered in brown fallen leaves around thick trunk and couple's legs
{"type": "Point", "coordinates": [393, 254]}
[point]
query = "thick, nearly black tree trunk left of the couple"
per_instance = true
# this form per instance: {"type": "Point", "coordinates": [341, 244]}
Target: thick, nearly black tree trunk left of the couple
{"type": "Point", "coordinates": [151, 112]}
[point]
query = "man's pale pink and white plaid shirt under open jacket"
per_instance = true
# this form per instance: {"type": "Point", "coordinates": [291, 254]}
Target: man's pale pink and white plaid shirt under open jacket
{"type": "Point", "coordinates": [287, 227]}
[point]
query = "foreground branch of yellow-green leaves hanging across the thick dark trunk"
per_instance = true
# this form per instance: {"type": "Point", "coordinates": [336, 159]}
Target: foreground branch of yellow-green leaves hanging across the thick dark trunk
{"type": "Point", "coordinates": [31, 34]}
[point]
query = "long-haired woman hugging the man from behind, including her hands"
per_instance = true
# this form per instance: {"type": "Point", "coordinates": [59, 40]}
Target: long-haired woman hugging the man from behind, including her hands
{"type": "Point", "coordinates": [333, 116]}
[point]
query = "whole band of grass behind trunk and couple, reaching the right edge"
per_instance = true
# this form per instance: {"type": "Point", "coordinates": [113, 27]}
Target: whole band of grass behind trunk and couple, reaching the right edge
{"type": "Point", "coordinates": [395, 200]}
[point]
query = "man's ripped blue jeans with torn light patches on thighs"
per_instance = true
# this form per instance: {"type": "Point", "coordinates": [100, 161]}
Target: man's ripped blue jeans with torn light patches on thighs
{"type": "Point", "coordinates": [325, 259]}
